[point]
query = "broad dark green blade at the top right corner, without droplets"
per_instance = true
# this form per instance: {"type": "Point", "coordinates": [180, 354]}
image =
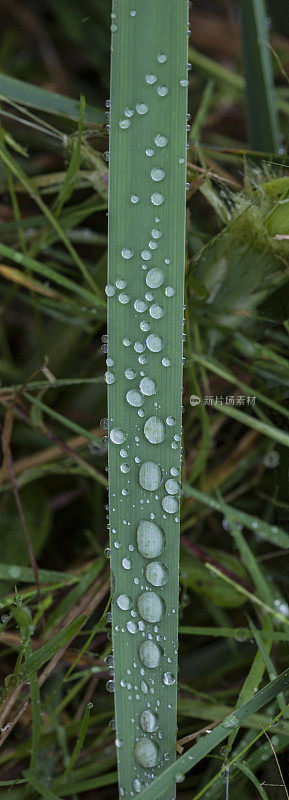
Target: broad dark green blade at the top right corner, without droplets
{"type": "Point", "coordinates": [261, 107]}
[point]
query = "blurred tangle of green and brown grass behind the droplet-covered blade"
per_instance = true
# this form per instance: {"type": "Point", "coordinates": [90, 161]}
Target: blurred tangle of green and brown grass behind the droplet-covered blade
{"type": "Point", "coordinates": [235, 524]}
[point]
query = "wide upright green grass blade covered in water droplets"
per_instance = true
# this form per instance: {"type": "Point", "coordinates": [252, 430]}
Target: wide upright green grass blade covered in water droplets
{"type": "Point", "coordinates": [145, 321]}
